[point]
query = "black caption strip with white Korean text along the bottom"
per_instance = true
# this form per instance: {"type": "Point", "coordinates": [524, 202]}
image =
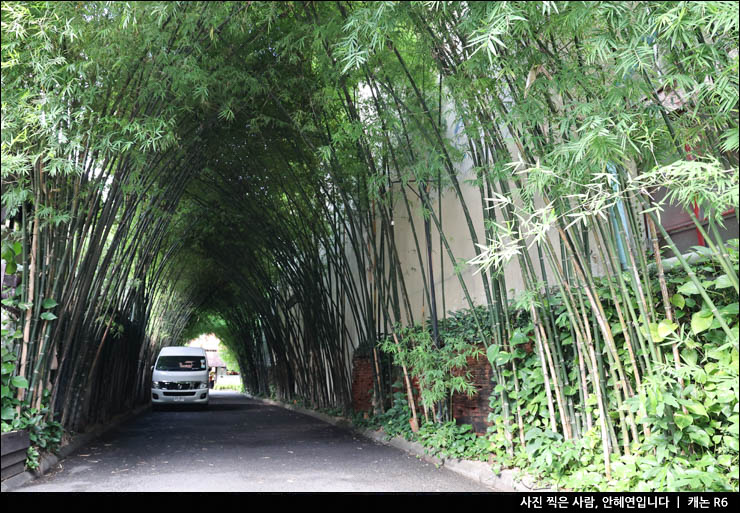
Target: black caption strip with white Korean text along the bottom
{"type": "Point", "coordinates": [350, 502]}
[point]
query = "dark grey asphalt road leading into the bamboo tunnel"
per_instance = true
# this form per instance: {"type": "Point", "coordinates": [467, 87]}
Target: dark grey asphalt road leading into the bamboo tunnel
{"type": "Point", "coordinates": [242, 445]}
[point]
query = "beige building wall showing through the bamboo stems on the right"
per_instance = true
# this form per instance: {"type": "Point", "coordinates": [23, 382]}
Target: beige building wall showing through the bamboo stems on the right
{"type": "Point", "coordinates": [450, 296]}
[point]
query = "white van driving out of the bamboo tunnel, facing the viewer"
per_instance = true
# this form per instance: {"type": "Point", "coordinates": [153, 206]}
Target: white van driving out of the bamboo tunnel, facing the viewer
{"type": "Point", "coordinates": [180, 376]}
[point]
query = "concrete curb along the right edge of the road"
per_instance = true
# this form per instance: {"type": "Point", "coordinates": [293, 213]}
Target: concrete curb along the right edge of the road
{"type": "Point", "coordinates": [509, 480]}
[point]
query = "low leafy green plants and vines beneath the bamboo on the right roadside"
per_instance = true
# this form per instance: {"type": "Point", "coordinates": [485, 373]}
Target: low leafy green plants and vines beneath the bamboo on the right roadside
{"type": "Point", "coordinates": [693, 442]}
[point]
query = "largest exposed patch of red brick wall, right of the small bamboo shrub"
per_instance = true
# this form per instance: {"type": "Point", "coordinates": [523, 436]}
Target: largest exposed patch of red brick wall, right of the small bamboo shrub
{"type": "Point", "coordinates": [475, 410]}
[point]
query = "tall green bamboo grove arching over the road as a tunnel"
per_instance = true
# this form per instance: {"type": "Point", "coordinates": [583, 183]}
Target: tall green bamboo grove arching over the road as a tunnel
{"type": "Point", "coordinates": [244, 167]}
